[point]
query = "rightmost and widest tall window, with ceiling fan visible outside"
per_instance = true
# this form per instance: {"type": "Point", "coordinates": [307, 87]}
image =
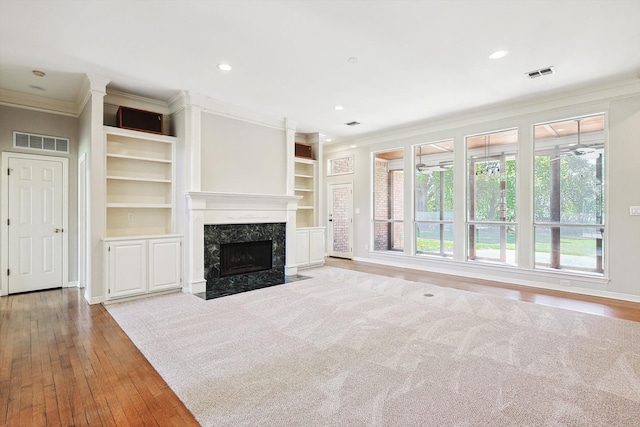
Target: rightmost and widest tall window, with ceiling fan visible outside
{"type": "Point", "coordinates": [569, 194]}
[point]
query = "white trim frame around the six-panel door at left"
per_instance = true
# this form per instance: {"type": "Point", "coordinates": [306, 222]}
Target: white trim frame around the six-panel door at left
{"type": "Point", "coordinates": [4, 214]}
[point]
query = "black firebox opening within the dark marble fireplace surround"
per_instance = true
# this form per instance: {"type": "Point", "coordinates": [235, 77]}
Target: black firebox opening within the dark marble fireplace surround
{"type": "Point", "coordinates": [245, 257]}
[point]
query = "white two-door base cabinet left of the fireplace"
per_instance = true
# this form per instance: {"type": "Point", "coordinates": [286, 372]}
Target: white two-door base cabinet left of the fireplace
{"type": "Point", "coordinates": [140, 266]}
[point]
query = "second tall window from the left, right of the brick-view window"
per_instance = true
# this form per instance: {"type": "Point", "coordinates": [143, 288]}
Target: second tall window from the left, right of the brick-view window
{"type": "Point", "coordinates": [433, 188]}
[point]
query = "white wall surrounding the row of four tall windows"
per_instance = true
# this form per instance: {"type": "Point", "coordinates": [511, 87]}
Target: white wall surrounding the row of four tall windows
{"type": "Point", "coordinates": [622, 108]}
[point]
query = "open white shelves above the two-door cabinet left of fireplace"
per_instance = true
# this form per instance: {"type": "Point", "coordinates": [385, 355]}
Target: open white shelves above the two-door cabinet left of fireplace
{"type": "Point", "coordinates": [139, 183]}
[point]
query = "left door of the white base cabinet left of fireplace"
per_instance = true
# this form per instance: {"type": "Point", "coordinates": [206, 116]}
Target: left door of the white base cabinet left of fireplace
{"type": "Point", "coordinates": [127, 268]}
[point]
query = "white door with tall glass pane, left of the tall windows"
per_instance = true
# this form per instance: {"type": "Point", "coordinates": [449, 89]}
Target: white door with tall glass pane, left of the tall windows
{"type": "Point", "coordinates": [340, 220]}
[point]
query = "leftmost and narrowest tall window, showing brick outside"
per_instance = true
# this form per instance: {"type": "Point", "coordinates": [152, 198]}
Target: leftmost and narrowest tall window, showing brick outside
{"type": "Point", "coordinates": [388, 201]}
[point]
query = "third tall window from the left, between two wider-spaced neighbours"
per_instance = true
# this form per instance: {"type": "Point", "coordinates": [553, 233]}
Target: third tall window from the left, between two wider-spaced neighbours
{"type": "Point", "coordinates": [491, 192]}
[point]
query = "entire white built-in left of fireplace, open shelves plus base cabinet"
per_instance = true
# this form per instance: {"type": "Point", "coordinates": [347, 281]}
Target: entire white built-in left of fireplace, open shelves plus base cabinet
{"type": "Point", "coordinates": [141, 252]}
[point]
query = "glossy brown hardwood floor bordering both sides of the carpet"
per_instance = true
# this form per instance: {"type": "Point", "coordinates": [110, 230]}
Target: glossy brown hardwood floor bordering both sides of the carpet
{"type": "Point", "coordinates": [66, 363]}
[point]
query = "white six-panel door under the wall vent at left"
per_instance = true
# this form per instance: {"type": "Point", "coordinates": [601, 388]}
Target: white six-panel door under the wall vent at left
{"type": "Point", "coordinates": [35, 221]}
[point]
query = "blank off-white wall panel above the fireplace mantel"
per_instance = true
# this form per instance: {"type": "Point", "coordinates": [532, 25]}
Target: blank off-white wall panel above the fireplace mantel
{"type": "Point", "coordinates": [242, 157]}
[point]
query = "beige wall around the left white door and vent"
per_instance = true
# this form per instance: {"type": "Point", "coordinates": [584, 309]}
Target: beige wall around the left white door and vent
{"type": "Point", "coordinates": [18, 119]}
